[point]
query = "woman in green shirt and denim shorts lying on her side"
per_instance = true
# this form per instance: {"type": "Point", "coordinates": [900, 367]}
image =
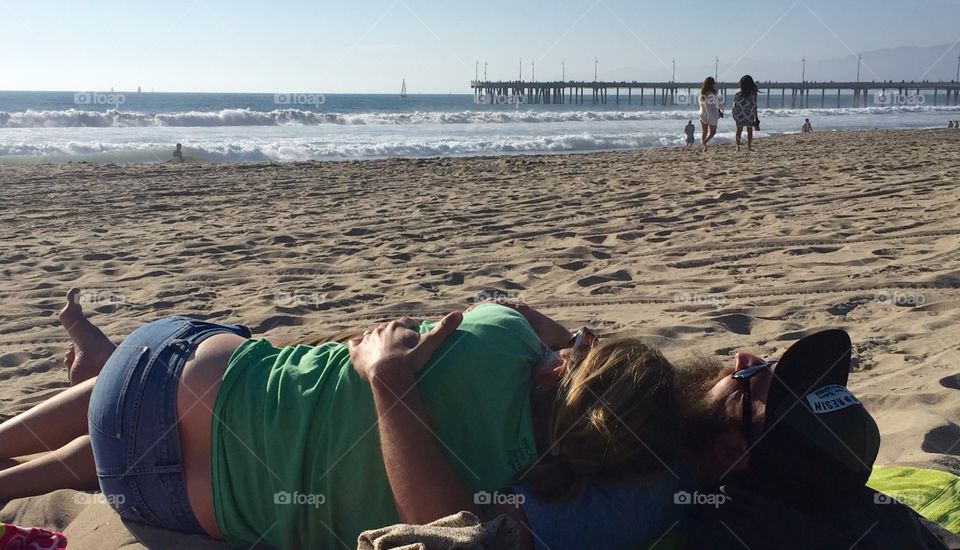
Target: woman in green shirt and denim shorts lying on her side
{"type": "Point", "coordinates": [197, 427]}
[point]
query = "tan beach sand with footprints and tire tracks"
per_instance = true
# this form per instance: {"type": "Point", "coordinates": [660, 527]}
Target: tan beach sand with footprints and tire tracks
{"type": "Point", "coordinates": [697, 253]}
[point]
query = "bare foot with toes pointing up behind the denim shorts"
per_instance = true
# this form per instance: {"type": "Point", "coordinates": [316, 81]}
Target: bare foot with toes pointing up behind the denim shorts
{"type": "Point", "coordinates": [90, 348]}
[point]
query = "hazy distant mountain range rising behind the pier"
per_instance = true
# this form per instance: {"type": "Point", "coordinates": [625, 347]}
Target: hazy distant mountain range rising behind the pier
{"type": "Point", "coordinates": [904, 63]}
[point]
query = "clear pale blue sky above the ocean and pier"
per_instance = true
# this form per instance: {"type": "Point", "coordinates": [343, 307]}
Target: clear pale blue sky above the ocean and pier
{"type": "Point", "coordinates": [369, 45]}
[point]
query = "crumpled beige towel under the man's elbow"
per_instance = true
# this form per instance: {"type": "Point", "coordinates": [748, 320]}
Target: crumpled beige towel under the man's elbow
{"type": "Point", "coordinates": [460, 531]}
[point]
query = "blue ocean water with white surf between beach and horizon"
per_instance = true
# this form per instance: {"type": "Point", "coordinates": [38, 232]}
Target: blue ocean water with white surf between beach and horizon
{"type": "Point", "coordinates": [126, 127]}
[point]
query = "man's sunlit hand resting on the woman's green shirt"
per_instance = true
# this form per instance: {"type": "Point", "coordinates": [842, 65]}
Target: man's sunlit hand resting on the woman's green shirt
{"type": "Point", "coordinates": [397, 346]}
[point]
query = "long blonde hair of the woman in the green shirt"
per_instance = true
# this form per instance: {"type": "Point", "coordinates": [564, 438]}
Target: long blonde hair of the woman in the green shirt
{"type": "Point", "coordinates": [613, 420]}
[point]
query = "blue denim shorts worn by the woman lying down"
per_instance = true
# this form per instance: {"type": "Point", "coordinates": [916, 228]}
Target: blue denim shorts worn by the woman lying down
{"type": "Point", "coordinates": [133, 422]}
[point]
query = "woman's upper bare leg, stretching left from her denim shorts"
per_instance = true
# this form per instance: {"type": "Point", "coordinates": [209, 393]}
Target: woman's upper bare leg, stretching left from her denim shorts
{"type": "Point", "coordinates": [49, 425]}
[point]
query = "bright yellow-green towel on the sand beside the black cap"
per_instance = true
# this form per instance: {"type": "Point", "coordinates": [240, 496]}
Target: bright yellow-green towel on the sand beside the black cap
{"type": "Point", "coordinates": [933, 494]}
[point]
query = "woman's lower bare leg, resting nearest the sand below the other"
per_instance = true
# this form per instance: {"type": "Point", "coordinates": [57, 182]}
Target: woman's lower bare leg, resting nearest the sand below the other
{"type": "Point", "coordinates": [69, 467]}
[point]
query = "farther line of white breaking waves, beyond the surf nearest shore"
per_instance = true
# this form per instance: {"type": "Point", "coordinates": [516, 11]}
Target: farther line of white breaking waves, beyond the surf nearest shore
{"type": "Point", "coordinates": [115, 118]}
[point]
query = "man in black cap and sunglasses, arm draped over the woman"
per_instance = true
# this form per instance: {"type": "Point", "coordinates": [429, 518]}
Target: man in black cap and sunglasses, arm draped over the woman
{"type": "Point", "coordinates": [792, 445]}
